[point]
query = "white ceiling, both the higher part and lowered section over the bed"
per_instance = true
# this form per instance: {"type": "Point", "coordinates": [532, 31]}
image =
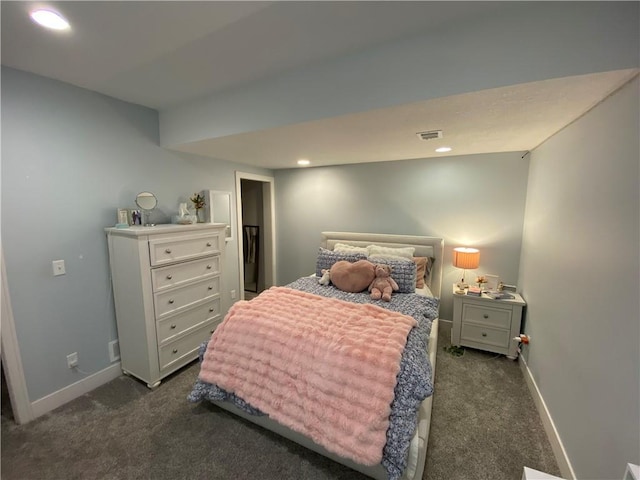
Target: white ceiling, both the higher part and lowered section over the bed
{"type": "Point", "coordinates": [163, 54]}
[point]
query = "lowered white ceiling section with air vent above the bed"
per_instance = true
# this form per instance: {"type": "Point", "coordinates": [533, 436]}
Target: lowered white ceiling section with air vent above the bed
{"type": "Point", "coordinates": [508, 119]}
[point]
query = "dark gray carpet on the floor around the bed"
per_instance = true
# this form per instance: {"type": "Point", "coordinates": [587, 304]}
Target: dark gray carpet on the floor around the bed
{"type": "Point", "coordinates": [484, 426]}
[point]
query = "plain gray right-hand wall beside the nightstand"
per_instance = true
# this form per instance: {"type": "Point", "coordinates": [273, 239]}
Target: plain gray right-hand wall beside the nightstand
{"type": "Point", "coordinates": [579, 272]}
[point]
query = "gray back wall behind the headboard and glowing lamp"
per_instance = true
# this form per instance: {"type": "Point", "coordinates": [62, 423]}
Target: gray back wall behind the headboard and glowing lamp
{"type": "Point", "coordinates": [475, 200]}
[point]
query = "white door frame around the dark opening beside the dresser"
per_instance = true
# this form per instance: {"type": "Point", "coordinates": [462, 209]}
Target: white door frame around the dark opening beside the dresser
{"type": "Point", "coordinates": [269, 214]}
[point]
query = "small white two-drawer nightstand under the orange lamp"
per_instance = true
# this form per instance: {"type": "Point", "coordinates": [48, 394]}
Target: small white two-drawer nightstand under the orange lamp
{"type": "Point", "coordinates": [487, 324]}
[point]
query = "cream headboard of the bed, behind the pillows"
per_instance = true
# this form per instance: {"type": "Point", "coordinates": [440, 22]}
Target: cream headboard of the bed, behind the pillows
{"type": "Point", "coordinates": [425, 247]}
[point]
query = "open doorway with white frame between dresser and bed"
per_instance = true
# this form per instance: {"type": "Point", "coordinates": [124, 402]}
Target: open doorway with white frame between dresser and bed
{"type": "Point", "coordinates": [256, 226]}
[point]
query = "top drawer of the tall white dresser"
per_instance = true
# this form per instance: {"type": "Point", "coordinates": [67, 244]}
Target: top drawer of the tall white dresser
{"type": "Point", "coordinates": [174, 248]}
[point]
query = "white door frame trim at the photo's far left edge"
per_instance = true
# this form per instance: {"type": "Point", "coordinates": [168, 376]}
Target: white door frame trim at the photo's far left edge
{"type": "Point", "coordinates": [11, 359]}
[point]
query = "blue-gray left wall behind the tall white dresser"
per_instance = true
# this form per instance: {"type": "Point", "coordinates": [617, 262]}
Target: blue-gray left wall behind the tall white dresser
{"type": "Point", "coordinates": [70, 157]}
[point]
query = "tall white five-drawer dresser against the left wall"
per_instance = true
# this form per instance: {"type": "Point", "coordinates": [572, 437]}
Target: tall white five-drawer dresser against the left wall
{"type": "Point", "coordinates": [166, 286]}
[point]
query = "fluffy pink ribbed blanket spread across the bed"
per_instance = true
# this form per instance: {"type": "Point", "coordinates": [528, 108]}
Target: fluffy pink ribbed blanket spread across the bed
{"type": "Point", "coordinates": [323, 367]}
